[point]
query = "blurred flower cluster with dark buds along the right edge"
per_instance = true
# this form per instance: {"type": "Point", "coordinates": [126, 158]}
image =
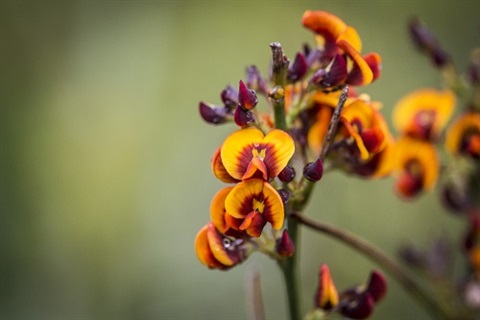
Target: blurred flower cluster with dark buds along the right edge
{"type": "Point", "coordinates": [423, 119]}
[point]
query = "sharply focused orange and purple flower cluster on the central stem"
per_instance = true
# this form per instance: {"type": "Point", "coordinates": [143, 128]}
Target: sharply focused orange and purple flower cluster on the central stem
{"type": "Point", "coordinates": [313, 118]}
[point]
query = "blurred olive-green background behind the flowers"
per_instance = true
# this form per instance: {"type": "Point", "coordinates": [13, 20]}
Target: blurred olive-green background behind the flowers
{"type": "Point", "coordinates": [105, 173]}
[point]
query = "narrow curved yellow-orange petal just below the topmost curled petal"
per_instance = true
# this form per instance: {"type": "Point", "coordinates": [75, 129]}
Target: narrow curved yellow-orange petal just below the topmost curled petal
{"type": "Point", "coordinates": [360, 74]}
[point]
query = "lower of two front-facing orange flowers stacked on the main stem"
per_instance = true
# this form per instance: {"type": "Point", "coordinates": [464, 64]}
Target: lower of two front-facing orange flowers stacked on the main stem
{"type": "Point", "coordinates": [255, 202]}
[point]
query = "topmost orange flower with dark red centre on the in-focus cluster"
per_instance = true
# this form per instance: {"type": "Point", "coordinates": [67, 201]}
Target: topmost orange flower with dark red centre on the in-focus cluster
{"type": "Point", "coordinates": [335, 37]}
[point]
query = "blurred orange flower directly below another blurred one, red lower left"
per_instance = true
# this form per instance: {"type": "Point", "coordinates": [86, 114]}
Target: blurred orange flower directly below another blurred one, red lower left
{"type": "Point", "coordinates": [417, 164]}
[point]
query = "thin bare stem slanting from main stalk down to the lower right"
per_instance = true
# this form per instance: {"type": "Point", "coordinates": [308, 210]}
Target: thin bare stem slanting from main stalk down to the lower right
{"type": "Point", "coordinates": [435, 308]}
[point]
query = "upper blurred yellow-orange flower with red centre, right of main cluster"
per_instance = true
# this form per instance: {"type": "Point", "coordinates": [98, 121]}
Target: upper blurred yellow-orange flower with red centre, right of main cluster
{"type": "Point", "coordinates": [423, 113]}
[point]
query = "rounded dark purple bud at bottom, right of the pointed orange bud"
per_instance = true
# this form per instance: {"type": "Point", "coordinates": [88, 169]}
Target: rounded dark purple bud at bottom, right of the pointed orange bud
{"type": "Point", "coordinates": [356, 305]}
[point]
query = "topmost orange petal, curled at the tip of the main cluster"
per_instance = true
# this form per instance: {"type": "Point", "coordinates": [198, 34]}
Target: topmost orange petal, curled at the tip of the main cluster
{"type": "Point", "coordinates": [323, 23]}
